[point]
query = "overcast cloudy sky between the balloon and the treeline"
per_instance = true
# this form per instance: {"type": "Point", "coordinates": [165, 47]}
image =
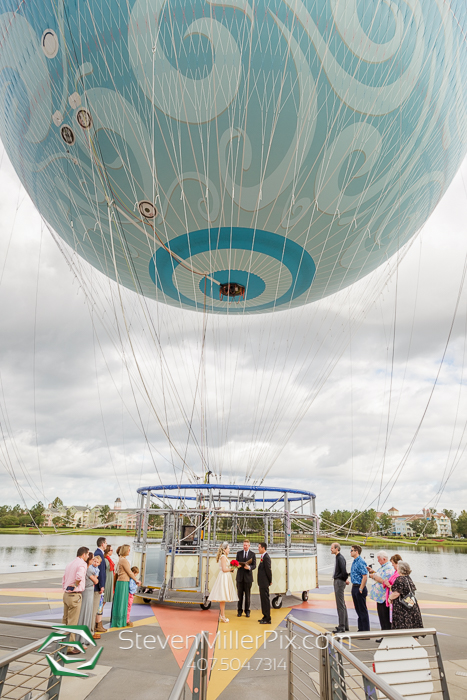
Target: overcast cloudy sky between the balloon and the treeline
{"type": "Point", "coordinates": [361, 399]}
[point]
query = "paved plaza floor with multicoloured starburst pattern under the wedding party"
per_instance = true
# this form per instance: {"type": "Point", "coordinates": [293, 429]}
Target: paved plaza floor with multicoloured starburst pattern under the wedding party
{"type": "Point", "coordinates": [142, 662]}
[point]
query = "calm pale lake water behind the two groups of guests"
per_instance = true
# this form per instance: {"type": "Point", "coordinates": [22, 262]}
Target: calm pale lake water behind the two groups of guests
{"type": "Point", "coordinates": [20, 553]}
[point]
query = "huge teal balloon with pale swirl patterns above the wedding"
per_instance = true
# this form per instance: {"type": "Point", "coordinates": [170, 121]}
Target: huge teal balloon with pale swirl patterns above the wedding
{"type": "Point", "coordinates": [243, 156]}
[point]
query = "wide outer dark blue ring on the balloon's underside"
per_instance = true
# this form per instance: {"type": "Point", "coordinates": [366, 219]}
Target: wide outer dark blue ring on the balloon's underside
{"type": "Point", "coordinates": [300, 264]}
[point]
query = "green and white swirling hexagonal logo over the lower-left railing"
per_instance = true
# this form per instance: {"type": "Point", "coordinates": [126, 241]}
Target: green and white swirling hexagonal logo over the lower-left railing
{"type": "Point", "coordinates": [61, 633]}
